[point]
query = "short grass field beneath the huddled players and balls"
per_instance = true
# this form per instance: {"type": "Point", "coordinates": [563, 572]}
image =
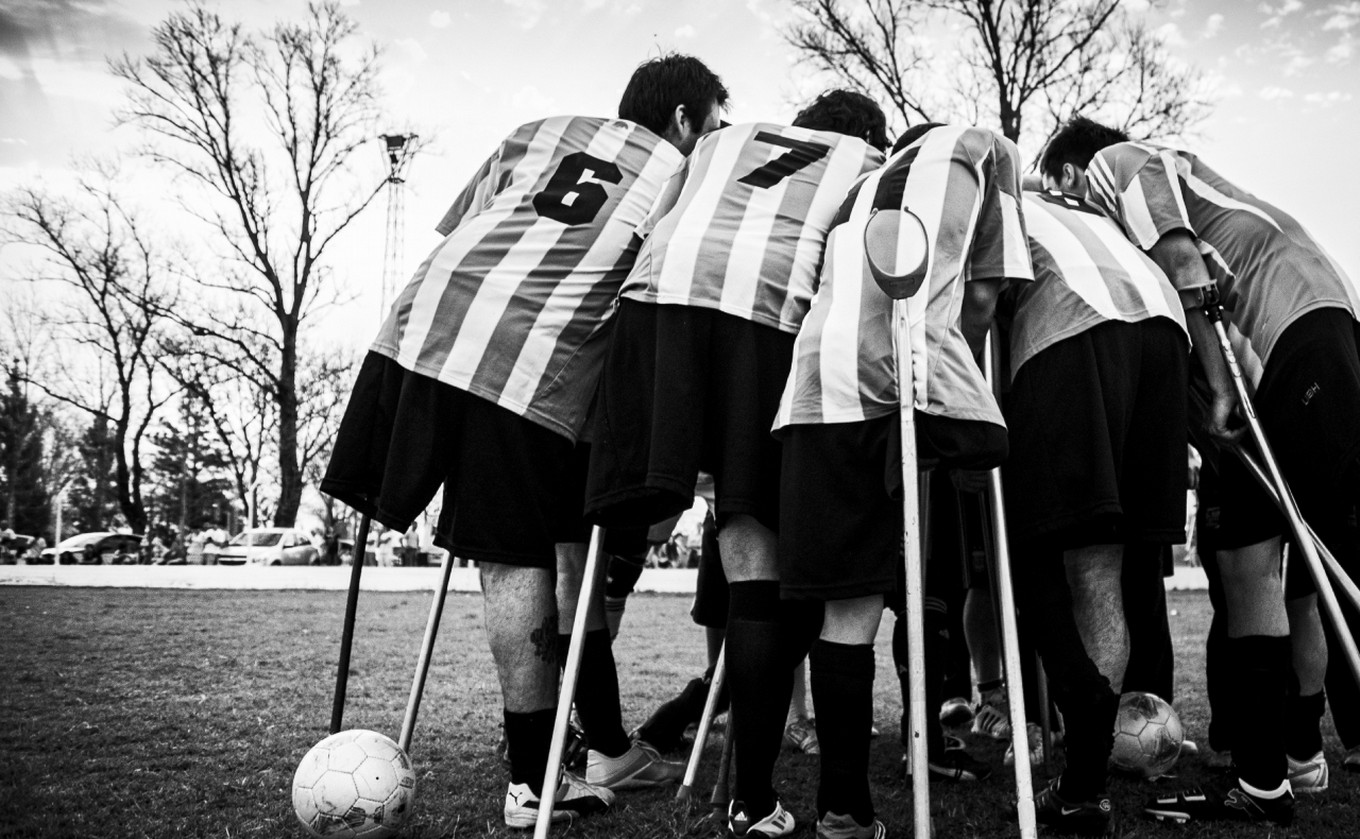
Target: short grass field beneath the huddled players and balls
{"type": "Point", "coordinates": [173, 713]}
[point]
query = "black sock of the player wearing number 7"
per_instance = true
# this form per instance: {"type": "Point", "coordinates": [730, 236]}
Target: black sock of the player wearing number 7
{"type": "Point", "coordinates": [761, 687]}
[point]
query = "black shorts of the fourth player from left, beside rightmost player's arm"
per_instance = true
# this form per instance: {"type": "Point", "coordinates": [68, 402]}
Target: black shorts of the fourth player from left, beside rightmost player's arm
{"type": "Point", "coordinates": [1098, 439]}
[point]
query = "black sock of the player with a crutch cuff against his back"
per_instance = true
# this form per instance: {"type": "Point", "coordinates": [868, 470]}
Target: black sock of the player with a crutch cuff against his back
{"type": "Point", "coordinates": [843, 690]}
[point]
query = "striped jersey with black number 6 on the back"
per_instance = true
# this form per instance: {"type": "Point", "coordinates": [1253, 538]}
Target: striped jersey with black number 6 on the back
{"type": "Point", "coordinates": [512, 305]}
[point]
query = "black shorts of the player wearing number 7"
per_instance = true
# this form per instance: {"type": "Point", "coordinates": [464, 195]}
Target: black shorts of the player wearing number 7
{"type": "Point", "coordinates": [687, 390]}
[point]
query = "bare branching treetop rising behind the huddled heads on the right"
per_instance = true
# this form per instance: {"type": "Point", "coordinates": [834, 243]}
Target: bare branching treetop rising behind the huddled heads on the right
{"type": "Point", "coordinates": [1008, 62]}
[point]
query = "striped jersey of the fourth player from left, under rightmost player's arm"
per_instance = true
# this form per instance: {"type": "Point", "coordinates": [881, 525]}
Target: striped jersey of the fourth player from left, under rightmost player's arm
{"type": "Point", "coordinates": [1086, 274]}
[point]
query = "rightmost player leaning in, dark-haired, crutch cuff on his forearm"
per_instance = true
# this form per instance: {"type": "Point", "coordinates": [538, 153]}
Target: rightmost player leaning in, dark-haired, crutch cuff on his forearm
{"type": "Point", "coordinates": [1293, 315]}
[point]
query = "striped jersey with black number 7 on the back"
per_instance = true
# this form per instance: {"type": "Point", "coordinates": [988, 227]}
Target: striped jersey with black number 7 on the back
{"type": "Point", "coordinates": [743, 225]}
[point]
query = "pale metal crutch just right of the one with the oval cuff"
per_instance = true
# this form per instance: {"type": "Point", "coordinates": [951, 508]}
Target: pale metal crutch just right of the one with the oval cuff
{"type": "Point", "coordinates": [1010, 633]}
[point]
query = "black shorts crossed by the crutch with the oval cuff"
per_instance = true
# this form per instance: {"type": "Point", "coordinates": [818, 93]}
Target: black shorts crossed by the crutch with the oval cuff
{"type": "Point", "coordinates": [843, 501]}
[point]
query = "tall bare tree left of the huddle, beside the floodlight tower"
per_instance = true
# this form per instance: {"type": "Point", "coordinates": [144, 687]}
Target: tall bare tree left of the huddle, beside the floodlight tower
{"type": "Point", "coordinates": [266, 129]}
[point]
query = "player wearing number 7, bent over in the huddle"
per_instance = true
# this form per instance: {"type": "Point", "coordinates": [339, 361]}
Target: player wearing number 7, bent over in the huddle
{"type": "Point", "coordinates": [701, 349]}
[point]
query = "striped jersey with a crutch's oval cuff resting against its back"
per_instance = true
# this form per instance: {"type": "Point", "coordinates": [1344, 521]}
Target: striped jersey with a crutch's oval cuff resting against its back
{"type": "Point", "coordinates": [965, 187]}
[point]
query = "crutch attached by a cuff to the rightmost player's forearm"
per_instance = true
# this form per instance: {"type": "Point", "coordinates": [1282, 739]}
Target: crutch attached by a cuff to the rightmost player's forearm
{"type": "Point", "coordinates": [1302, 535]}
